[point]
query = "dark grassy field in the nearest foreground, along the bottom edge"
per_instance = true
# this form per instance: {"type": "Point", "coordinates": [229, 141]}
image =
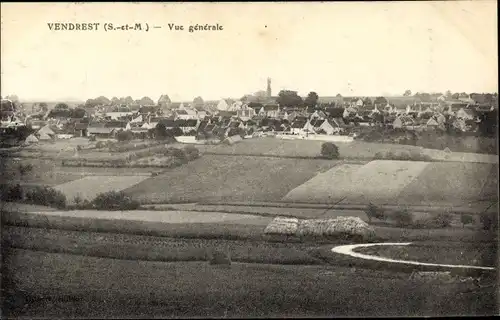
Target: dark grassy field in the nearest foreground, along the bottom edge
{"type": "Point", "coordinates": [62, 285]}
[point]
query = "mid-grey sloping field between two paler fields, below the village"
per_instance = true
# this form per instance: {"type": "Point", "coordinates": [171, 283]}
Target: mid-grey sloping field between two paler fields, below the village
{"type": "Point", "coordinates": [222, 178]}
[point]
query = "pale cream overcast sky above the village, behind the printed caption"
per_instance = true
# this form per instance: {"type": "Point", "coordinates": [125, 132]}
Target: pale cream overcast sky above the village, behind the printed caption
{"type": "Point", "coordinates": [348, 48]}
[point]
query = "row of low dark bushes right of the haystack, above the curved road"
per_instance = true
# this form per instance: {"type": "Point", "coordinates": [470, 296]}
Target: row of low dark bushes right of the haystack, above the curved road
{"type": "Point", "coordinates": [404, 218]}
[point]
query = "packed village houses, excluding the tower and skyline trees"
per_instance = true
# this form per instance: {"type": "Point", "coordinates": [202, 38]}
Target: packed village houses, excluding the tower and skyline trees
{"type": "Point", "coordinates": [331, 115]}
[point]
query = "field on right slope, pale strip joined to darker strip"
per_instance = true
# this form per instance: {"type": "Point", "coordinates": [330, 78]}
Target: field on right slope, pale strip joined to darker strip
{"type": "Point", "coordinates": [399, 182]}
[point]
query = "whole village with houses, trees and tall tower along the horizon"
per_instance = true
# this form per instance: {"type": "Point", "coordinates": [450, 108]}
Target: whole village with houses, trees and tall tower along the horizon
{"type": "Point", "coordinates": [253, 115]}
